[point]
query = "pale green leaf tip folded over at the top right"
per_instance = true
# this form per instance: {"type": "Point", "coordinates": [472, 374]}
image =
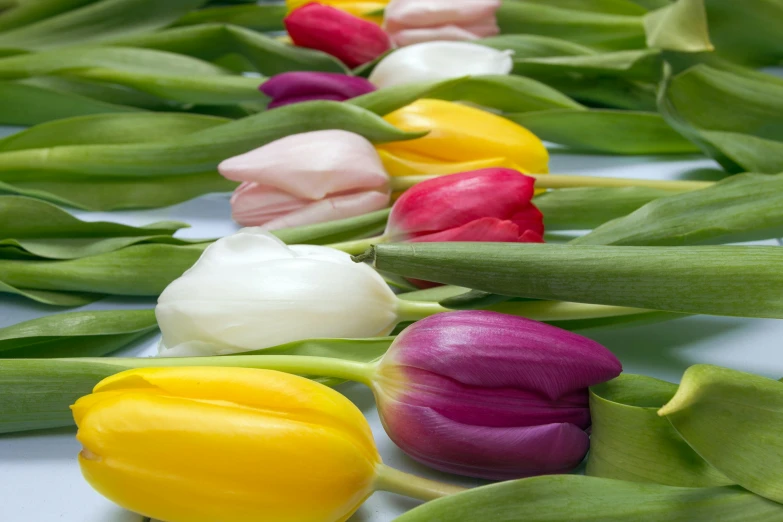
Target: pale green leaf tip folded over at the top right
{"type": "Point", "coordinates": [681, 26]}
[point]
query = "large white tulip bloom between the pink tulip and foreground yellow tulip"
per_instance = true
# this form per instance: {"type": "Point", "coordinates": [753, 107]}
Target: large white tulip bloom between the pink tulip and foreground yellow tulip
{"type": "Point", "coordinates": [250, 291]}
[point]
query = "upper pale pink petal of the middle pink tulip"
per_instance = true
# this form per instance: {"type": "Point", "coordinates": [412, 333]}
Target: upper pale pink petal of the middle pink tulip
{"type": "Point", "coordinates": [311, 165]}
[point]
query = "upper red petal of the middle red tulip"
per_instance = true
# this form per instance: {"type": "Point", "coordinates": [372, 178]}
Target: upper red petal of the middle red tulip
{"type": "Point", "coordinates": [449, 202]}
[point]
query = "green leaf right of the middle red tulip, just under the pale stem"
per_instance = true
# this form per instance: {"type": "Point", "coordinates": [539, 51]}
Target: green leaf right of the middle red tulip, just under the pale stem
{"type": "Point", "coordinates": [586, 208]}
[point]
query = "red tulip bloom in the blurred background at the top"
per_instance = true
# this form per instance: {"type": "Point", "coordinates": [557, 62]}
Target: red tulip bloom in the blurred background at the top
{"type": "Point", "coordinates": [350, 39]}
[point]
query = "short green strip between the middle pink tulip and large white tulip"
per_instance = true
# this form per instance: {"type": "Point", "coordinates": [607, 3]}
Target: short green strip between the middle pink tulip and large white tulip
{"type": "Point", "coordinates": [349, 229]}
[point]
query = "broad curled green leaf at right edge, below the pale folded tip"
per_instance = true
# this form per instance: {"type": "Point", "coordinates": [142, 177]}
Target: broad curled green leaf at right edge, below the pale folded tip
{"type": "Point", "coordinates": [701, 103]}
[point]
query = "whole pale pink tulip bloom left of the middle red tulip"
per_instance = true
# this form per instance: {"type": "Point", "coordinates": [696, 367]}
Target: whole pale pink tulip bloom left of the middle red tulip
{"type": "Point", "coordinates": [307, 178]}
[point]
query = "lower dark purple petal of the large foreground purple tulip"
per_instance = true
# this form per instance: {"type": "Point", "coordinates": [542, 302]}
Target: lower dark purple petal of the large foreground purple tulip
{"type": "Point", "coordinates": [480, 451]}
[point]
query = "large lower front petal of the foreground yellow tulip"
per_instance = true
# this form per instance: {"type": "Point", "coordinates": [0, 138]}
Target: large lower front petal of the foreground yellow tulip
{"type": "Point", "coordinates": [185, 460]}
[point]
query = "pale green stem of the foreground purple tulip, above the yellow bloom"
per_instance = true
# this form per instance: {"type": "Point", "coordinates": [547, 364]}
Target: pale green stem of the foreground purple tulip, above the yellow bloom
{"type": "Point", "coordinates": [299, 364]}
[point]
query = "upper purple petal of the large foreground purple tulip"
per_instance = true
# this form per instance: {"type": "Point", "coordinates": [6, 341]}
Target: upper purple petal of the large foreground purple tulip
{"type": "Point", "coordinates": [492, 350]}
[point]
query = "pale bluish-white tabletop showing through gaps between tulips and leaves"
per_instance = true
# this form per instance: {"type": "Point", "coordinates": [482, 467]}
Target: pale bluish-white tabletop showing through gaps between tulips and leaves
{"type": "Point", "coordinates": [40, 479]}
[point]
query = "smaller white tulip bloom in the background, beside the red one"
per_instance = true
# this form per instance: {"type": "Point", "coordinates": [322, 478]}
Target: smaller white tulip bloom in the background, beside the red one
{"type": "Point", "coordinates": [433, 61]}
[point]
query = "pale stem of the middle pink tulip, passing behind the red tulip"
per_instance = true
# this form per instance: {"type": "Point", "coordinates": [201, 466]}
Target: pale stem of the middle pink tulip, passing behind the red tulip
{"type": "Point", "coordinates": [555, 181]}
